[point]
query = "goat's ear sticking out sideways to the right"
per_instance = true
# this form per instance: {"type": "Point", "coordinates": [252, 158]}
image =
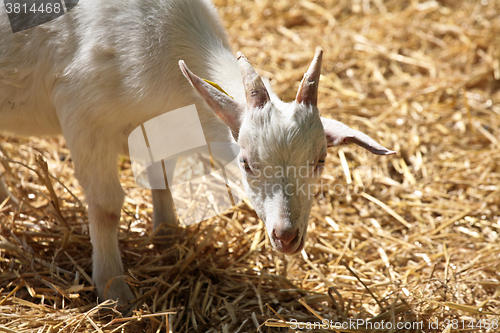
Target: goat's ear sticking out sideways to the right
{"type": "Point", "coordinates": [339, 134]}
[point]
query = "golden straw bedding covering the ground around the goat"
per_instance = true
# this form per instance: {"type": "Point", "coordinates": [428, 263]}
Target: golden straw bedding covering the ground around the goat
{"type": "Point", "coordinates": [410, 238]}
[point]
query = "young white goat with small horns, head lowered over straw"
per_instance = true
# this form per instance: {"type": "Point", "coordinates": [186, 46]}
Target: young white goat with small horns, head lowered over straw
{"type": "Point", "coordinates": [107, 66]}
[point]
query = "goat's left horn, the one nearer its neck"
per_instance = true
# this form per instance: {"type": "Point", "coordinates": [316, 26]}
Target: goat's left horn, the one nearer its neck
{"type": "Point", "coordinates": [255, 91]}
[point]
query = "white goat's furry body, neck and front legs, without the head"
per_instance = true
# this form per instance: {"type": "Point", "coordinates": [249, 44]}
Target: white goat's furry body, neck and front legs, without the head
{"type": "Point", "coordinates": [97, 73]}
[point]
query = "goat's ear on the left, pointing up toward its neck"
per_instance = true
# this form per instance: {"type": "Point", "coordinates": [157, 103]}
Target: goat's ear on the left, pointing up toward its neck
{"type": "Point", "coordinates": [229, 111]}
